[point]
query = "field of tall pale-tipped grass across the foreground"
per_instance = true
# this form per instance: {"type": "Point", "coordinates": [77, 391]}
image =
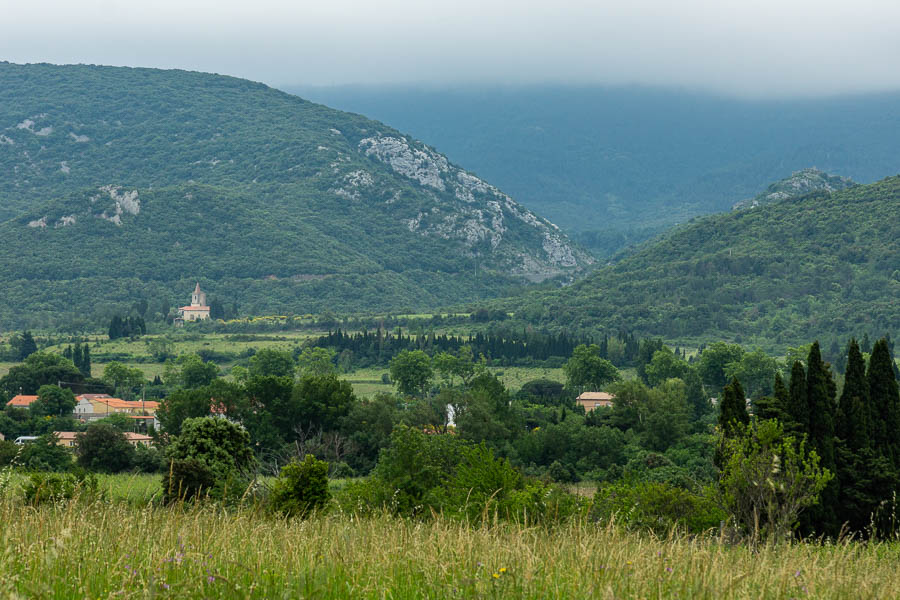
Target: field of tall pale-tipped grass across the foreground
{"type": "Point", "coordinates": [112, 549]}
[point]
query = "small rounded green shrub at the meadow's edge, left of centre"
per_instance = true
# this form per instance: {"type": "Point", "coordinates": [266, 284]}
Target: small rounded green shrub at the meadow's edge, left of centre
{"type": "Point", "coordinates": [301, 488]}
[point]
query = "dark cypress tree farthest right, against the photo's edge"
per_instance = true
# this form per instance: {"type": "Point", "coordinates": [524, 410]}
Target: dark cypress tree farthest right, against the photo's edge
{"type": "Point", "coordinates": [884, 400]}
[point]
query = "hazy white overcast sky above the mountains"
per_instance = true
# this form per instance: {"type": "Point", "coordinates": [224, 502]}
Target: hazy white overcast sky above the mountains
{"type": "Point", "coordinates": [758, 47]}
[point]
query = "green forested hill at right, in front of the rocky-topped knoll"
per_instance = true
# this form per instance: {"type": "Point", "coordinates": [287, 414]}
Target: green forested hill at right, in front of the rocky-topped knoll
{"type": "Point", "coordinates": [824, 265]}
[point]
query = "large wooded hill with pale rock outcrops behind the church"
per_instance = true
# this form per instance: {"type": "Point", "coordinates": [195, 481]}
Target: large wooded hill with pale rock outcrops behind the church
{"type": "Point", "coordinates": [121, 184]}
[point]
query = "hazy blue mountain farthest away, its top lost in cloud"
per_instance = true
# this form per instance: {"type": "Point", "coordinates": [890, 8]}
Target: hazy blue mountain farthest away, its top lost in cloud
{"type": "Point", "coordinates": [622, 164]}
